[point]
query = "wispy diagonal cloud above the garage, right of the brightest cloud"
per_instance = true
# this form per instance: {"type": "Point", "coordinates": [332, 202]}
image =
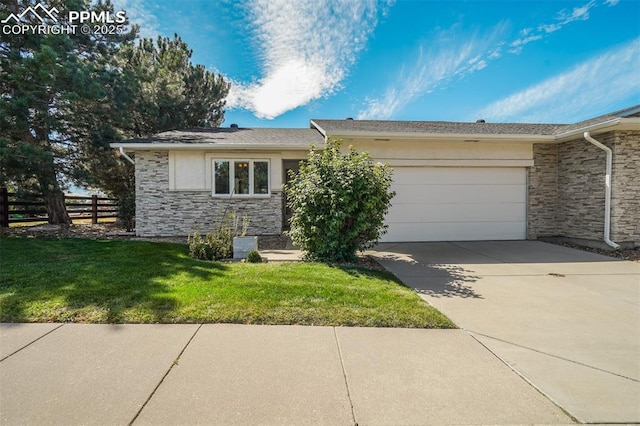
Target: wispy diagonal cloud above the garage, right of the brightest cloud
{"type": "Point", "coordinates": [436, 63]}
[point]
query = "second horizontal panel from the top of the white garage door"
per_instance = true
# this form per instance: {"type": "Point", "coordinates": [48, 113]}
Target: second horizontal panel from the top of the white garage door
{"type": "Point", "coordinates": [421, 194]}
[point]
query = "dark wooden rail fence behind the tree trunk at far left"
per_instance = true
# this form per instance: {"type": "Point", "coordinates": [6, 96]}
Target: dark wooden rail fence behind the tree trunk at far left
{"type": "Point", "coordinates": [31, 208]}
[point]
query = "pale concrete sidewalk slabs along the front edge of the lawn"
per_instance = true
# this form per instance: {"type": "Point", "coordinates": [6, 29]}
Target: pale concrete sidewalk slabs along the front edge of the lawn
{"type": "Point", "coordinates": [236, 374]}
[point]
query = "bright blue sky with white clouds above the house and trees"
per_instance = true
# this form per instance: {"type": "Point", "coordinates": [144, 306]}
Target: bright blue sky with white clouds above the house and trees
{"type": "Point", "coordinates": [504, 61]}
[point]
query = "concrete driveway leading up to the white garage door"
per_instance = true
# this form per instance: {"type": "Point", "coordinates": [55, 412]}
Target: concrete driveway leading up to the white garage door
{"type": "Point", "coordinates": [568, 321]}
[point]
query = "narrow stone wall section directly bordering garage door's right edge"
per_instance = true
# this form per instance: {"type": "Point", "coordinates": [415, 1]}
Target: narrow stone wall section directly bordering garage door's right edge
{"type": "Point", "coordinates": [542, 200]}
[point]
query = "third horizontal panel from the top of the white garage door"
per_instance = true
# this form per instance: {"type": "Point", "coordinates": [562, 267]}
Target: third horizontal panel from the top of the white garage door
{"type": "Point", "coordinates": [456, 212]}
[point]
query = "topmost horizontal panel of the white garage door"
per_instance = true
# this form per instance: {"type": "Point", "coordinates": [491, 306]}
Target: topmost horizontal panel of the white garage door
{"type": "Point", "coordinates": [459, 175]}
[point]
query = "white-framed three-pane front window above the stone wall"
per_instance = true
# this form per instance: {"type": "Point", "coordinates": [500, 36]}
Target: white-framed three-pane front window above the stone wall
{"type": "Point", "coordinates": [241, 177]}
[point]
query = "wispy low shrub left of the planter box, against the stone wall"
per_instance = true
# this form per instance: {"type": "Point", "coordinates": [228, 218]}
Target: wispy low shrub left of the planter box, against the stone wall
{"type": "Point", "coordinates": [217, 245]}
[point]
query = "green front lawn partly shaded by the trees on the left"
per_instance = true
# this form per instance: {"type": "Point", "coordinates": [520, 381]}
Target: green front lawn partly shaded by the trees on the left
{"type": "Point", "coordinates": [102, 281]}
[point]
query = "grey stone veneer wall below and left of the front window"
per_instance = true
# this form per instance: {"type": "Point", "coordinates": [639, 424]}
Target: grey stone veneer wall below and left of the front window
{"type": "Point", "coordinates": [160, 212]}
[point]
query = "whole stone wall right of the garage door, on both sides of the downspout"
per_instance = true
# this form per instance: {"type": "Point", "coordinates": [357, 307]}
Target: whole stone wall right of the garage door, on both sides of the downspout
{"type": "Point", "coordinates": [566, 189]}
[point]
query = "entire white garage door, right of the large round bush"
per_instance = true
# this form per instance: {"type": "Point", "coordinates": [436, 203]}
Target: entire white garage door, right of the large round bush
{"type": "Point", "coordinates": [457, 204]}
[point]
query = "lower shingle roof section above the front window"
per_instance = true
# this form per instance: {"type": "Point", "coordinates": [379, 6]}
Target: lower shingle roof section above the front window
{"type": "Point", "coordinates": [236, 136]}
